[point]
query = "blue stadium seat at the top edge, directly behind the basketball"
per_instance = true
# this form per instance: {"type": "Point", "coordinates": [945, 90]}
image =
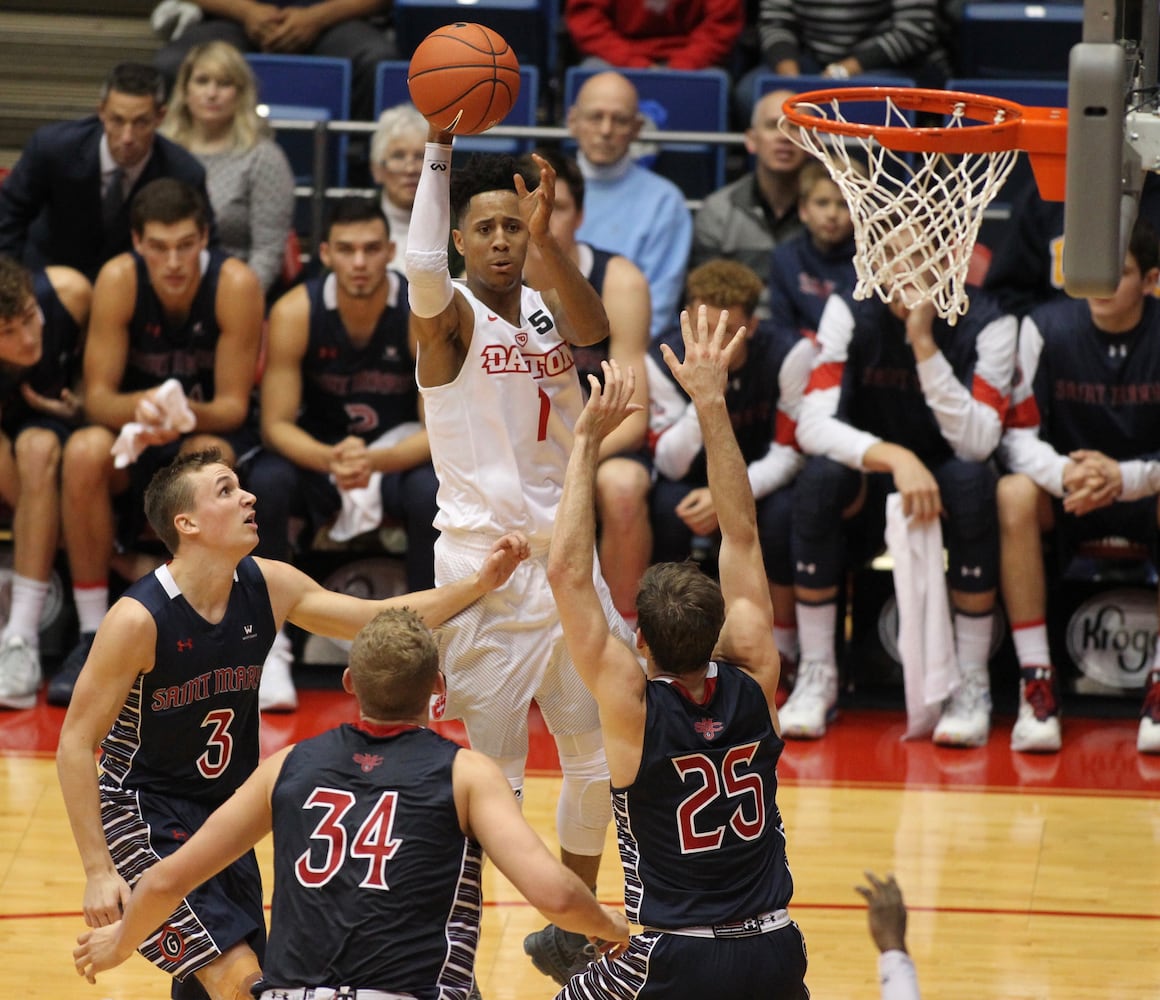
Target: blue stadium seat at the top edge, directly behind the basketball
{"type": "Point", "coordinates": [531, 27]}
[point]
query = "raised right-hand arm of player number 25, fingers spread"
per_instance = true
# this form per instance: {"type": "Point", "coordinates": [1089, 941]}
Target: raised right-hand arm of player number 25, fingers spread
{"type": "Point", "coordinates": [748, 635]}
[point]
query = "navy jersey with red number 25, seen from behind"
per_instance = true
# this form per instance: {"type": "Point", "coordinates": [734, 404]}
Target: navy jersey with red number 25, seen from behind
{"type": "Point", "coordinates": [700, 832]}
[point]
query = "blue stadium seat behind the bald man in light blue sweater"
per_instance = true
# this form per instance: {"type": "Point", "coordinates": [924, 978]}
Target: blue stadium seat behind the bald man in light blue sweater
{"type": "Point", "coordinates": [678, 100]}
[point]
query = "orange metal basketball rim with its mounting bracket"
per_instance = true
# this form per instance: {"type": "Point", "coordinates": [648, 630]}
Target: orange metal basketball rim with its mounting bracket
{"type": "Point", "coordinates": [1042, 133]}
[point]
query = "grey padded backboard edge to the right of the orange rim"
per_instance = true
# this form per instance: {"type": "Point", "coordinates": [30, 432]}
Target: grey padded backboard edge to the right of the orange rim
{"type": "Point", "coordinates": [1113, 139]}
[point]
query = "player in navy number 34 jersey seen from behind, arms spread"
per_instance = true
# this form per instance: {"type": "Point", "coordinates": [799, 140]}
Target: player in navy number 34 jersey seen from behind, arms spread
{"type": "Point", "coordinates": [453, 802]}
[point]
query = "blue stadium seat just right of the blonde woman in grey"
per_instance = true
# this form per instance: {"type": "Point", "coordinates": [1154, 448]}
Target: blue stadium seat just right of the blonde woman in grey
{"type": "Point", "coordinates": [314, 89]}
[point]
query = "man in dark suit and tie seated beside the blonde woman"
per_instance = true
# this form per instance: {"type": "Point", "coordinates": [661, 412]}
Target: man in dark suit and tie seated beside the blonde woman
{"type": "Point", "coordinates": [67, 201]}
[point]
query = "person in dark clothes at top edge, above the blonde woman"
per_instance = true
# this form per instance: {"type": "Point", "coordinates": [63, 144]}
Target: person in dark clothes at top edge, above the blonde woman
{"type": "Point", "coordinates": [345, 30]}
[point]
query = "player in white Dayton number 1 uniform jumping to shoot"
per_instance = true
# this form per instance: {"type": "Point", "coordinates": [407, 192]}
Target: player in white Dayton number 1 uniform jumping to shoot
{"type": "Point", "coordinates": [502, 397]}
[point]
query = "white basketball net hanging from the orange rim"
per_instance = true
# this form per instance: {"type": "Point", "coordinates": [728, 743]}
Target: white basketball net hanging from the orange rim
{"type": "Point", "coordinates": [917, 216]}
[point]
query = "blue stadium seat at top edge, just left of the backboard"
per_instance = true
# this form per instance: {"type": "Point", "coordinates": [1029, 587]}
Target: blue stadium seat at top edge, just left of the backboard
{"type": "Point", "coordinates": [1020, 41]}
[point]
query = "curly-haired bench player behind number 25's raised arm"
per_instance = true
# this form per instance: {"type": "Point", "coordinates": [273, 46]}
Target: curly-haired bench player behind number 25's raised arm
{"type": "Point", "coordinates": [767, 378]}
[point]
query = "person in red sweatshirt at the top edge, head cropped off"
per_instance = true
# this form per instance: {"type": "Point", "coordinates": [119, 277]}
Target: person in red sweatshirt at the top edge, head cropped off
{"type": "Point", "coordinates": [635, 34]}
